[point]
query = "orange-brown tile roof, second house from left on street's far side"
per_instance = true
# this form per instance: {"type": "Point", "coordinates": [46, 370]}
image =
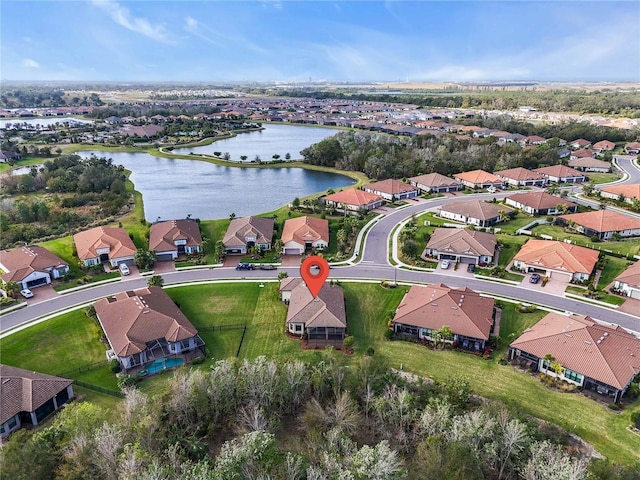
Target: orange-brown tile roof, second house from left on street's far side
{"type": "Point", "coordinates": [117, 239]}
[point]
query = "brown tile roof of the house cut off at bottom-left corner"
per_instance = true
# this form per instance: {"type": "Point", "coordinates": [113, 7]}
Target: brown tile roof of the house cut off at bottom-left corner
{"type": "Point", "coordinates": [25, 391]}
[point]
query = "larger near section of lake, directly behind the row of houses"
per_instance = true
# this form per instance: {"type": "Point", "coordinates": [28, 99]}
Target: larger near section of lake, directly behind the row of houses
{"type": "Point", "coordinates": [175, 188]}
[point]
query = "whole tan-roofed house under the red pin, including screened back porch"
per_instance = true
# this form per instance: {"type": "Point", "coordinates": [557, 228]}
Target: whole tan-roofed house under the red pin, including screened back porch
{"type": "Point", "coordinates": [321, 320]}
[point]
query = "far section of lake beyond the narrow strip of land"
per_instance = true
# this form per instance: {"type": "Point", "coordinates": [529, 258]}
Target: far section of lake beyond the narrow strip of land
{"type": "Point", "coordinates": [272, 140]}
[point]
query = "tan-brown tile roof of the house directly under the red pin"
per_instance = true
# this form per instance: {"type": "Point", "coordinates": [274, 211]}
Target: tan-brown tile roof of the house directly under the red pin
{"type": "Point", "coordinates": [326, 310]}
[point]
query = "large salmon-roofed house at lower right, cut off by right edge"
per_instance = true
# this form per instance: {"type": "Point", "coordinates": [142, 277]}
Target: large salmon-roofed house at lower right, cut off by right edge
{"type": "Point", "coordinates": [593, 356]}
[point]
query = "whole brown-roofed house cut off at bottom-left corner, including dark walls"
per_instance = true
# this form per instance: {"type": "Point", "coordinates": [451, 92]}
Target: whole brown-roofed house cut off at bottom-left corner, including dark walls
{"type": "Point", "coordinates": [28, 397]}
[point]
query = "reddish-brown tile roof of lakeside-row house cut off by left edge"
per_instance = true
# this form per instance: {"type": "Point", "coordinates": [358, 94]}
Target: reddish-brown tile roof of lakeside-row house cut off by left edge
{"type": "Point", "coordinates": [22, 262]}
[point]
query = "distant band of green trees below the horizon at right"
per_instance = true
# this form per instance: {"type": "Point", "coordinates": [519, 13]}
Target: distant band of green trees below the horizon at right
{"type": "Point", "coordinates": [604, 102]}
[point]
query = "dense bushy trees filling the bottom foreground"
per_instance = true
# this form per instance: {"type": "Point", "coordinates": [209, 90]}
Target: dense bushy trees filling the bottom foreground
{"type": "Point", "coordinates": [268, 419]}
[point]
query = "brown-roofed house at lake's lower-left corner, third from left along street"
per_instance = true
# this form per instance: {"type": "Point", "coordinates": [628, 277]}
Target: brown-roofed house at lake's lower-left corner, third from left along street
{"type": "Point", "coordinates": [172, 238]}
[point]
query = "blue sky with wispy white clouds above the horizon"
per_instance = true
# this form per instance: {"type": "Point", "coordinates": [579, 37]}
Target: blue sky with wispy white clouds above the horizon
{"type": "Point", "coordinates": [280, 40]}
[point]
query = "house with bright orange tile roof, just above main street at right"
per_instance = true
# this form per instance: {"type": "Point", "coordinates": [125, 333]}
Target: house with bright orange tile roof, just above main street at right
{"type": "Point", "coordinates": [552, 257]}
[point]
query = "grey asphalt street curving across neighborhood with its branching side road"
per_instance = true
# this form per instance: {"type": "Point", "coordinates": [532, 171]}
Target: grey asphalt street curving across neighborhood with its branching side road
{"type": "Point", "coordinates": [374, 265]}
